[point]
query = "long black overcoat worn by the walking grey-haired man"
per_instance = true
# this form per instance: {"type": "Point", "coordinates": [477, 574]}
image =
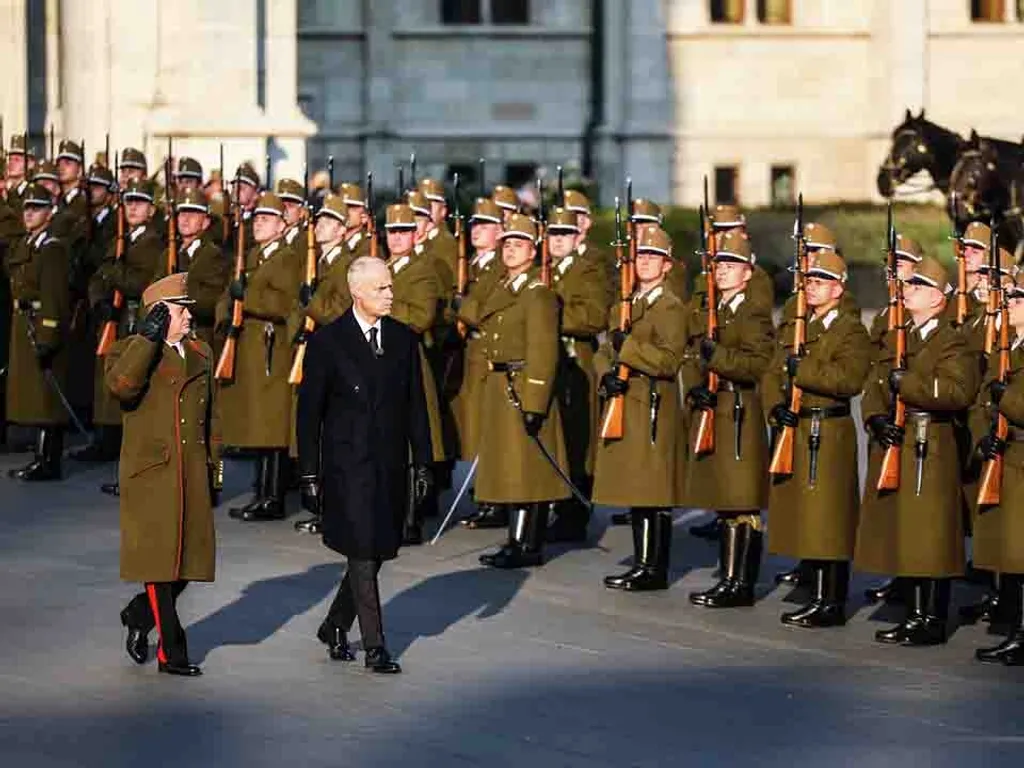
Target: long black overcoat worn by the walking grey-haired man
{"type": "Point", "coordinates": [360, 421]}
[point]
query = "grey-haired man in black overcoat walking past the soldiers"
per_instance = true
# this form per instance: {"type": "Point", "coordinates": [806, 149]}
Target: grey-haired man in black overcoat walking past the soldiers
{"type": "Point", "coordinates": [362, 420]}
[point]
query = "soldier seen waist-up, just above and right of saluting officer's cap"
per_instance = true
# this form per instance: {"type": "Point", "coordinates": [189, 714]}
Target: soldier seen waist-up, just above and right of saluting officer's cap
{"type": "Point", "coordinates": [209, 272]}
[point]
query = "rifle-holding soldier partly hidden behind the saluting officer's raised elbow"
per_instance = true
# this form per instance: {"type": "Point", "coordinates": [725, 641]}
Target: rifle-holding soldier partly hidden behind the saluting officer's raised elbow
{"type": "Point", "coordinates": [127, 274]}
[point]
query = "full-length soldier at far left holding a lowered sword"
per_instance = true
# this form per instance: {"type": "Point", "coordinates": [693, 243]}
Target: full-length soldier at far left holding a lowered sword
{"type": "Point", "coordinates": [37, 269]}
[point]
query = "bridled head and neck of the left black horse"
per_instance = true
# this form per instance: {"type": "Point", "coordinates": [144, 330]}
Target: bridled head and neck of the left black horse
{"type": "Point", "coordinates": [919, 145]}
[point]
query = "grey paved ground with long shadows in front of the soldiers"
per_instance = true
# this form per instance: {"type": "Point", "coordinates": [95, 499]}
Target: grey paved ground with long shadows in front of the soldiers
{"type": "Point", "coordinates": [543, 668]}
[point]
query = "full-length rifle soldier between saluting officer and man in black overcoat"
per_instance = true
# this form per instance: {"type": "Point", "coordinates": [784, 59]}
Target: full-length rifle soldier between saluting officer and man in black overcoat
{"type": "Point", "coordinates": [257, 404]}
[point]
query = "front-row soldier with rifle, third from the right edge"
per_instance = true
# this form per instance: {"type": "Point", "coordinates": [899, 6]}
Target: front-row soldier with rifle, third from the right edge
{"type": "Point", "coordinates": [814, 510]}
